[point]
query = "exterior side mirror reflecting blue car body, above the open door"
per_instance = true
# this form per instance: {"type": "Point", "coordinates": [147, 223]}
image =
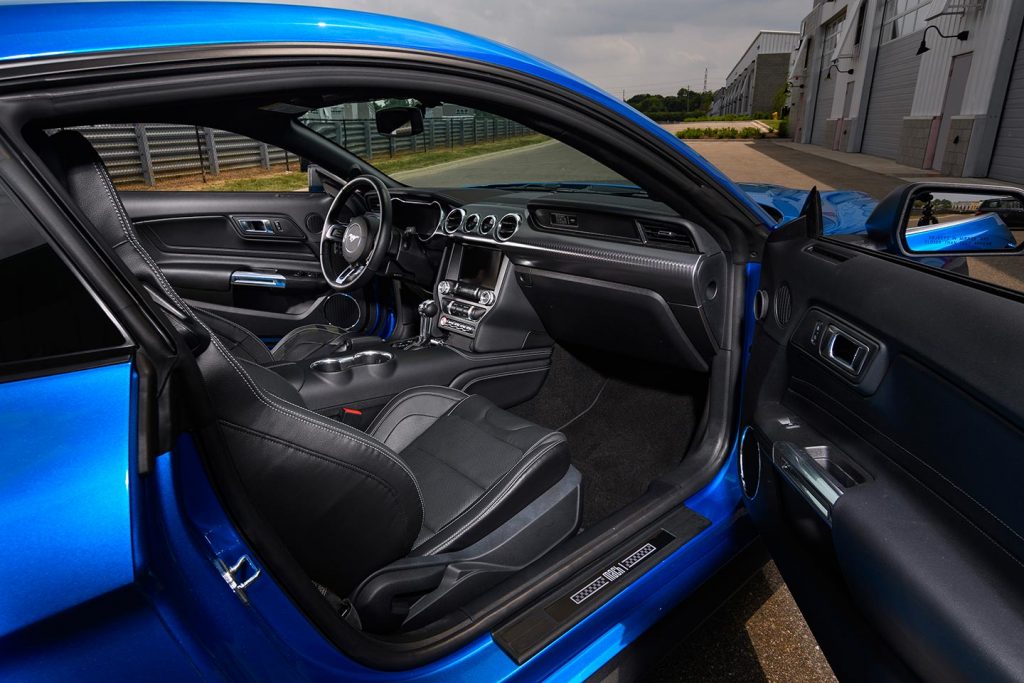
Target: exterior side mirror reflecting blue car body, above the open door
{"type": "Point", "coordinates": [951, 220]}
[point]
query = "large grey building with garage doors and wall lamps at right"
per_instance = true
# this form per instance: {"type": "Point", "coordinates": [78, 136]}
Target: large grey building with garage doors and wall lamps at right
{"type": "Point", "coordinates": [935, 84]}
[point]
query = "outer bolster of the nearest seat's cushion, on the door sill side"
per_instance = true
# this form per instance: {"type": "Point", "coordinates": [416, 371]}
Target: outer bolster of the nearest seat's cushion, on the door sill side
{"type": "Point", "coordinates": [542, 466]}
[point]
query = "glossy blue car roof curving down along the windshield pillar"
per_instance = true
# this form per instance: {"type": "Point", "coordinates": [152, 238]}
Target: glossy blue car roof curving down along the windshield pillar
{"type": "Point", "coordinates": [30, 31]}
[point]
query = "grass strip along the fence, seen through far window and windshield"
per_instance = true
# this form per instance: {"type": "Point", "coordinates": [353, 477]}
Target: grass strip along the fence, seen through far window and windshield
{"type": "Point", "coordinates": [286, 182]}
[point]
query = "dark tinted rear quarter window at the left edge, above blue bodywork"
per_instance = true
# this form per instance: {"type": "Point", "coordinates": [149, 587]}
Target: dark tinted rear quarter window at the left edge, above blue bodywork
{"type": "Point", "coordinates": [48, 313]}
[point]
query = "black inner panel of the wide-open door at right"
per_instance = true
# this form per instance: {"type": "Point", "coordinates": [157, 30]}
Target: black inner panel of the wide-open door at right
{"type": "Point", "coordinates": [883, 457]}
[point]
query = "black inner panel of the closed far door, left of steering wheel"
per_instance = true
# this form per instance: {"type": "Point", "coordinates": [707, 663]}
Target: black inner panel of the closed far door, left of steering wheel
{"type": "Point", "coordinates": [251, 258]}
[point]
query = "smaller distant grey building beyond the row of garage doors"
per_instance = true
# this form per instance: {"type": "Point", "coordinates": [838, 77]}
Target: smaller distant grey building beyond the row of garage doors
{"type": "Point", "coordinates": [753, 83]}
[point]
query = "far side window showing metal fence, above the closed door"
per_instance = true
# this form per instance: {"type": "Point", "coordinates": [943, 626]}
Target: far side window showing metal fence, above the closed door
{"type": "Point", "coordinates": [172, 157]}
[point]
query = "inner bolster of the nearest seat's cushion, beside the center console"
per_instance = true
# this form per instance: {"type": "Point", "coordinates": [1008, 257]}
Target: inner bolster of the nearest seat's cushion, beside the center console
{"type": "Point", "coordinates": [411, 413]}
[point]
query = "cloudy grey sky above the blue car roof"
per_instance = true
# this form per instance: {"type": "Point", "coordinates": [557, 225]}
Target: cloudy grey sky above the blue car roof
{"type": "Point", "coordinates": [638, 47]}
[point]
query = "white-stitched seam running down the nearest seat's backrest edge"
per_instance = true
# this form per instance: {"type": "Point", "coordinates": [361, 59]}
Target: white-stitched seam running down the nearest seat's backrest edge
{"type": "Point", "coordinates": [246, 379]}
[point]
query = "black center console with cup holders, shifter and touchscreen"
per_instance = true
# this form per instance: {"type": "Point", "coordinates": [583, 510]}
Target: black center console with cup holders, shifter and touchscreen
{"type": "Point", "coordinates": [481, 335]}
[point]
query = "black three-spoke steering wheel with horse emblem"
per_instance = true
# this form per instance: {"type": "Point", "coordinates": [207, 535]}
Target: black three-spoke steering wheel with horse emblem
{"type": "Point", "coordinates": [354, 250]}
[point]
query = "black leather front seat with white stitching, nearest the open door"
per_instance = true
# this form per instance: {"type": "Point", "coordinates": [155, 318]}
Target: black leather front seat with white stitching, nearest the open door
{"type": "Point", "coordinates": [441, 479]}
